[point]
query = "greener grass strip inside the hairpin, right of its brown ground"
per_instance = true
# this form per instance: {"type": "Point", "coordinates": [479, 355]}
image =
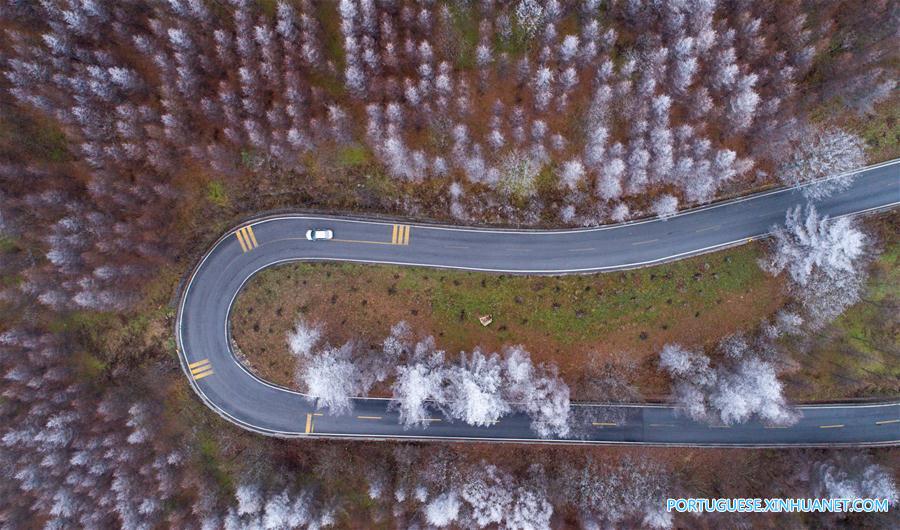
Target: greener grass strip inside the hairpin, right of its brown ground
{"type": "Point", "coordinates": [580, 308]}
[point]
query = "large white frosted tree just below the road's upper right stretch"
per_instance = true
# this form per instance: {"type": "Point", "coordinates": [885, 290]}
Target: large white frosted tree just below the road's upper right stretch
{"type": "Point", "coordinates": [824, 258]}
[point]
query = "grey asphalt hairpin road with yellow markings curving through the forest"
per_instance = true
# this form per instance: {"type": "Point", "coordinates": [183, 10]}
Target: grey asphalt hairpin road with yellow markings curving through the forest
{"type": "Point", "coordinates": [203, 334]}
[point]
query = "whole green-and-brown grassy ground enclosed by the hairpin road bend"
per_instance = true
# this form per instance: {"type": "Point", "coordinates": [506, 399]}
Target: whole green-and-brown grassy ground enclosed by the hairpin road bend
{"type": "Point", "coordinates": [564, 319]}
